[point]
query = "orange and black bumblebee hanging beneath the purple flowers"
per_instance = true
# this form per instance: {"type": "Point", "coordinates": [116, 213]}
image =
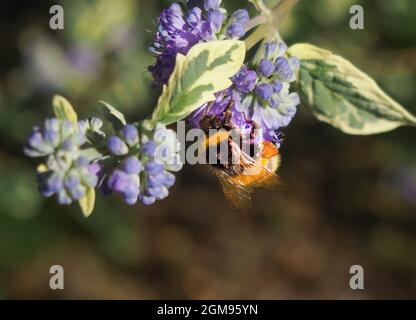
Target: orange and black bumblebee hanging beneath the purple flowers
{"type": "Point", "coordinates": [253, 168]}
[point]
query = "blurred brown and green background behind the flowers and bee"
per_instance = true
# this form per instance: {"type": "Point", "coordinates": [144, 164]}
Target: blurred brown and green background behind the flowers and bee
{"type": "Point", "coordinates": [348, 200]}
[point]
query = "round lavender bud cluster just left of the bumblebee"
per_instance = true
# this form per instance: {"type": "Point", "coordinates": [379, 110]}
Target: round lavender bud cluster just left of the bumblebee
{"type": "Point", "coordinates": [145, 163]}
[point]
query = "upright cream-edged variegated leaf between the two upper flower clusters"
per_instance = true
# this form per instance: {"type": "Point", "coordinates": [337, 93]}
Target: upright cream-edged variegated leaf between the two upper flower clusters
{"type": "Point", "coordinates": [204, 71]}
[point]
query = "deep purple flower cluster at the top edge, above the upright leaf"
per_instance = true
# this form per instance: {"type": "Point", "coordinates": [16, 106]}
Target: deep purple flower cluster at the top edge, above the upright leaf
{"type": "Point", "coordinates": [181, 28]}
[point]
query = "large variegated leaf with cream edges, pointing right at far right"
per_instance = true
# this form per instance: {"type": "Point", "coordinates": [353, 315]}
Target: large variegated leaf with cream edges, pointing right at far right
{"type": "Point", "coordinates": [340, 94]}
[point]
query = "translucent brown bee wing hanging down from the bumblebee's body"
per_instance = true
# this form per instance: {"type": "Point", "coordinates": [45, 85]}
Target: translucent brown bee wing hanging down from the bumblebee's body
{"type": "Point", "coordinates": [237, 194]}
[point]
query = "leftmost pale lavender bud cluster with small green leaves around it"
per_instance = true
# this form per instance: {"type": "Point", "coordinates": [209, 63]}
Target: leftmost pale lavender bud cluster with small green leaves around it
{"type": "Point", "coordinates": [65, 172]}
